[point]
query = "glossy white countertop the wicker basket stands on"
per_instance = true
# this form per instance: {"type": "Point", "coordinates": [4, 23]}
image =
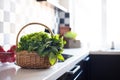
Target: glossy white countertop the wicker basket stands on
{"type": "Point", "coordinates": [10, 71]}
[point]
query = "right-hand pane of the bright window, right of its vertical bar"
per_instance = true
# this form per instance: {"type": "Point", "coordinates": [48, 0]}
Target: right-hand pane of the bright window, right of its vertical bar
{"type": "Point", "coordinates": [113, 22]}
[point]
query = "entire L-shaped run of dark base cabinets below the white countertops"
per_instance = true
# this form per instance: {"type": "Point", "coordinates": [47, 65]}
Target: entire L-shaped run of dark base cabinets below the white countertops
{"type": "Point", "coordinates": [97, 67]}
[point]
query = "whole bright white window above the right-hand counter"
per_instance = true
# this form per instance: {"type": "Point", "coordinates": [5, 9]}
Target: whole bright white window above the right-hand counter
{"type": "Point", "coordinates": [96, 22]}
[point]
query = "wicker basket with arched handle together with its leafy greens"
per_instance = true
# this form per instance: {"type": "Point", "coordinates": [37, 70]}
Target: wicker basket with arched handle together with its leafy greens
{"type": "Point", "coordinates": [39, 49]}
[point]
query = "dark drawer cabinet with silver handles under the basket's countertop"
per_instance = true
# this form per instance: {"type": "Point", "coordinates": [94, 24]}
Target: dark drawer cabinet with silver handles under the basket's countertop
{"type": "Point", "coordinates": [79, 72]}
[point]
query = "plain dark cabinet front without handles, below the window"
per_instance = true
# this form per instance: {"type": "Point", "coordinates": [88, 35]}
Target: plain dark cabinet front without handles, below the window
{"type": "Point", "coordinates": [104, 67]}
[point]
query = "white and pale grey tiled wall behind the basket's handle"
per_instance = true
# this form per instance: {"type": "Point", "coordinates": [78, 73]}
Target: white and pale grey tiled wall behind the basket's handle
{"type": "Point", "coordinates": [14, 14]}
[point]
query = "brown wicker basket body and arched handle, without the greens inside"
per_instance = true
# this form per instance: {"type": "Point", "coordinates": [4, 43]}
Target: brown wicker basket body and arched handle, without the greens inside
{"type": "Point", "coordinates": [27, 59]}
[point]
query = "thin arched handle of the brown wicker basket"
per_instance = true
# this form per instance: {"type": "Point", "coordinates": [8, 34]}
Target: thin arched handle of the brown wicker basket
{"type": "Point", "coordinates": [32, 24]}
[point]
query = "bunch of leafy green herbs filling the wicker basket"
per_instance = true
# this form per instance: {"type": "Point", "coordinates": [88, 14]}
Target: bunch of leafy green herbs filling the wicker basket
{"type": "Point", "coordinates": [44, 44]}
